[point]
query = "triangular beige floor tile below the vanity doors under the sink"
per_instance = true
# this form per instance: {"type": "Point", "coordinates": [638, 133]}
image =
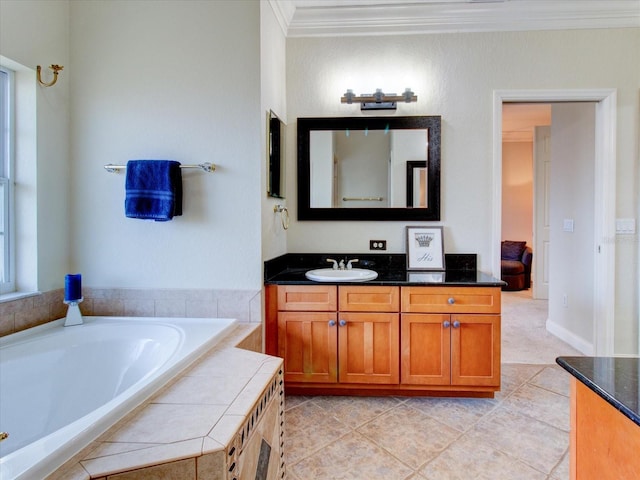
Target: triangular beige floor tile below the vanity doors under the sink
{"type": "Point", "coordinates": [355, 411]}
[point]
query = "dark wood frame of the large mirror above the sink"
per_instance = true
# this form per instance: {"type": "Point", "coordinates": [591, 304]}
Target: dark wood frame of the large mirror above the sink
{"type": "Point", "coordinates": [307, 125]}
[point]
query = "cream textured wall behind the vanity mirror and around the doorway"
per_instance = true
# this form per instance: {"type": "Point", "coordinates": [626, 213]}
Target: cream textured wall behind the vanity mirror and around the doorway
{"type": "Point", "coordinates": [455, 75]}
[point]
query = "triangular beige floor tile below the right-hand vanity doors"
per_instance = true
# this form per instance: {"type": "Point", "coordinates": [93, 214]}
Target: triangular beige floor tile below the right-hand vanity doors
{"type": "Point", "coordinates": [459, 413]}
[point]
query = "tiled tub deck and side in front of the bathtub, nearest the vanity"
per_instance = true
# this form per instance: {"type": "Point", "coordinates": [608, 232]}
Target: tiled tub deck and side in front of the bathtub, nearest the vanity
{"type": "Point", "coordinates": [197, 427]}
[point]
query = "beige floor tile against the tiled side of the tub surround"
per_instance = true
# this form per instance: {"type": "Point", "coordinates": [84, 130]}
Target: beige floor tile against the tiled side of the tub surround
{"type": "Point", "coordinates": [308, 428]}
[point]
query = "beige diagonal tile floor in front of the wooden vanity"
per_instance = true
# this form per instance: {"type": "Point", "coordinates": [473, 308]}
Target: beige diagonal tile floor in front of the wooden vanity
{"type": "Point", "coordinates": [523, 433]}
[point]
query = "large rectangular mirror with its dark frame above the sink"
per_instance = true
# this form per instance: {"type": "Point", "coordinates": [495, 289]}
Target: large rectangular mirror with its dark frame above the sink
{"type": "Point", "coordinates": [369, 168]}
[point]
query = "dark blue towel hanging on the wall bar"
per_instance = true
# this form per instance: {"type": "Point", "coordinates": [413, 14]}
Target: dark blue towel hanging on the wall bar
{"type": "Point", "coordinates": [153, 190]}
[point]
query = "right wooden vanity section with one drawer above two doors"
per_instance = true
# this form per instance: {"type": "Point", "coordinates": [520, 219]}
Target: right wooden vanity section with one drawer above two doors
{"type": "Point", "coordinates": [454, 348]}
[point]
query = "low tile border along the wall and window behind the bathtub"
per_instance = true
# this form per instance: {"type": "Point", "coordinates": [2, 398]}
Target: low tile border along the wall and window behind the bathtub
{"type": "Point", "coordinates": [40, 308]}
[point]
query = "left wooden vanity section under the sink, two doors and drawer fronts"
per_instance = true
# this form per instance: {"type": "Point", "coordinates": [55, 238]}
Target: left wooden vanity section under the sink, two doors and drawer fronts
{"type": "Point", "coordinates": [355, 340]}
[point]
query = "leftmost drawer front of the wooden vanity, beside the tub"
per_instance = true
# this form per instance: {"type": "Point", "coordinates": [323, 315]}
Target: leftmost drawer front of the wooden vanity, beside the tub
{"type": "Point", "coordinates": [308, 298]}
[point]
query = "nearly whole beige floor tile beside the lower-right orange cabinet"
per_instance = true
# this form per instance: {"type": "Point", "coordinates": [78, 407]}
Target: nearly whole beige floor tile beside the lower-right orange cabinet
{"type": "Point", "coordinates": [536, 443]}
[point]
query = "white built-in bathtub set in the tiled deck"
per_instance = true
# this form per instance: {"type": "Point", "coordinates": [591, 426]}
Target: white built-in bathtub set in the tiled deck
{"type": "Point", "coordinates": [61, 387]}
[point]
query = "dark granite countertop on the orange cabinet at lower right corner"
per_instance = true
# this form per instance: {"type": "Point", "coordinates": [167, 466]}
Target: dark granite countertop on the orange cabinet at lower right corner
{"type": "Point", "coordinates": [615, 379]}
